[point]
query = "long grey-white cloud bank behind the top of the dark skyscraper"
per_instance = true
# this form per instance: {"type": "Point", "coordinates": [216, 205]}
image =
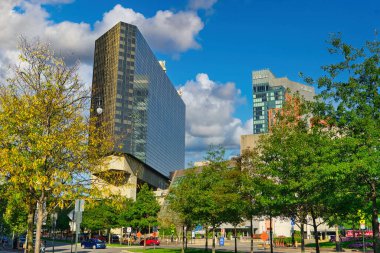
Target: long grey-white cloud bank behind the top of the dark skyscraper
{"type": "Point", "coordinates": [166, 32]}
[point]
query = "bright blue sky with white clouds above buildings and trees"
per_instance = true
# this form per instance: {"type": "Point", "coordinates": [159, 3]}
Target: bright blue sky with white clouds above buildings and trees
{"type": "Point", "coordinates": [210, 47]}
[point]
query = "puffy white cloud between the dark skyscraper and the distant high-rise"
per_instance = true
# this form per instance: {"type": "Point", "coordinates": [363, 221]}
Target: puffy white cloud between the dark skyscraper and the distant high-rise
{"type": "Point", "coordinates": [209, 114]}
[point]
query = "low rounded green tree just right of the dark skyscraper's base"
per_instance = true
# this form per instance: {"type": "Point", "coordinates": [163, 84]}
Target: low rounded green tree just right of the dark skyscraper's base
{"type": "Point", "coordinates": [208, 195]}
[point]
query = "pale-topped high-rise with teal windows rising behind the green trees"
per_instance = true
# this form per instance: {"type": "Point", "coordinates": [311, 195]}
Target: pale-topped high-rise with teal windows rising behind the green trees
{"type": "Point", "coordinates": [269, 94]}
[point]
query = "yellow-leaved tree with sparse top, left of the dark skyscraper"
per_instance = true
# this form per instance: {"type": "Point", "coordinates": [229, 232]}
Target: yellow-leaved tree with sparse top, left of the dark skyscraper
{"type": "Point", "coordinates": [46, 151]}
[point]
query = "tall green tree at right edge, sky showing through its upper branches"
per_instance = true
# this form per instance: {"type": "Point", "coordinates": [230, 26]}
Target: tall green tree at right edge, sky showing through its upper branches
{"type": "Point", "coordinates": [350, 89]}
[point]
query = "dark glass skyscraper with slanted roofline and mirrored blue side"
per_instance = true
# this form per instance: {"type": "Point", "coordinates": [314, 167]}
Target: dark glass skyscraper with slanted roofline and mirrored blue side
{"type": "Point", "coordinates": [145, 114]}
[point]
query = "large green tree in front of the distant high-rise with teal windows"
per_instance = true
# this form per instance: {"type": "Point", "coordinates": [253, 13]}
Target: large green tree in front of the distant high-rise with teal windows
{"type": "Point", "coordinates": [293, 166]}
